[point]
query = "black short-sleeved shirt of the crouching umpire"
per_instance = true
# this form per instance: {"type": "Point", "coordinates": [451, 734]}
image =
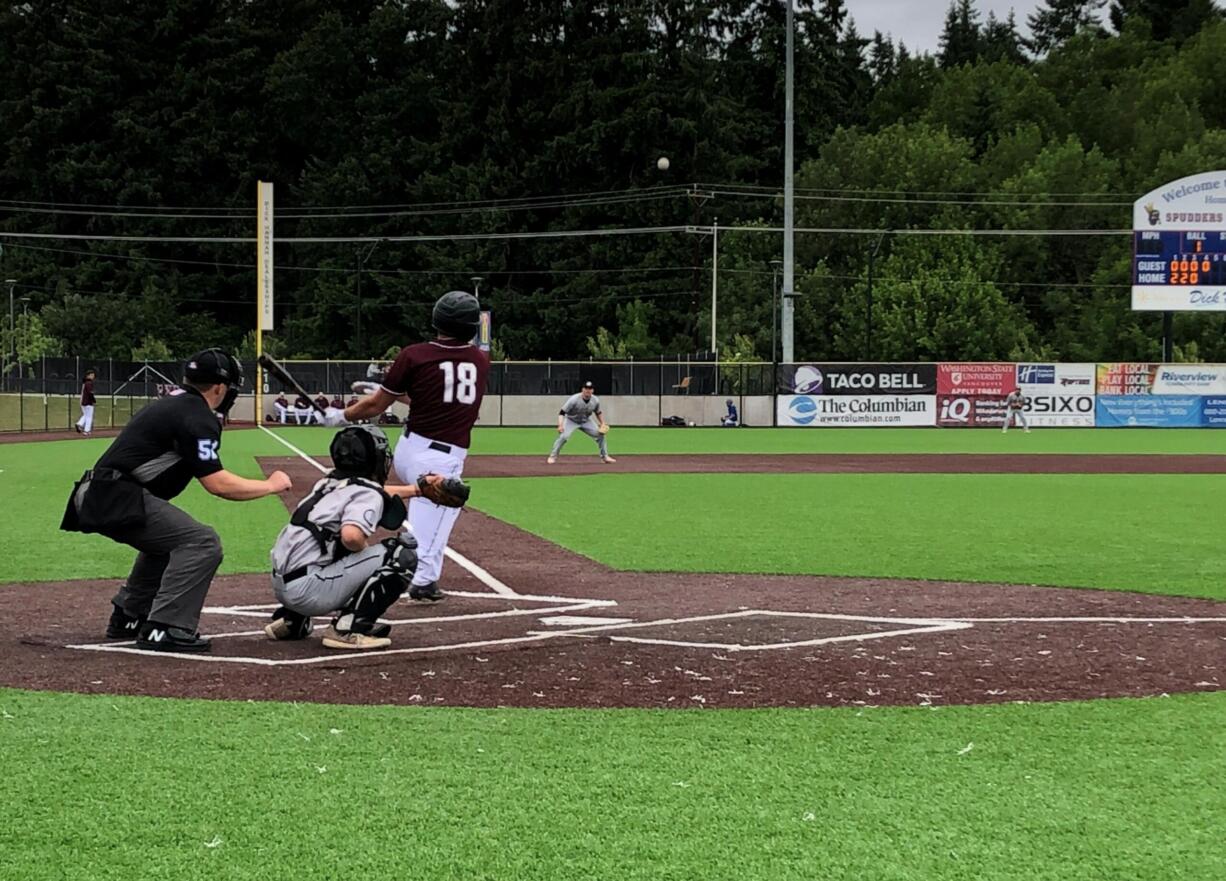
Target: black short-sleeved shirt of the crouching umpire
{"type": "Point", "coordinates": [169, 443]}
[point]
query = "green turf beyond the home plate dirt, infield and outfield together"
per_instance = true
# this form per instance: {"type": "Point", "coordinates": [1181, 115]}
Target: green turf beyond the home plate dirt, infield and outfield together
{"type": "Point", "coordinates": [1153, 534]}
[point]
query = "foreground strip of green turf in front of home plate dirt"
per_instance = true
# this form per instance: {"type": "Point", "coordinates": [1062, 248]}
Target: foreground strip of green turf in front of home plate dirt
{"type": "Point", "coordinates": [120, 788]}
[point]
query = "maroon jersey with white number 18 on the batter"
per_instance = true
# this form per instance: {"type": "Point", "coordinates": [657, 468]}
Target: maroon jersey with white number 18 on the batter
{"type": "Point", "coordinates": [446, 383]}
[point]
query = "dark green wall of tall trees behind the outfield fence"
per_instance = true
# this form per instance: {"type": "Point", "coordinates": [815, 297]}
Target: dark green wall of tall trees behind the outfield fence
{"type": "Point", "coordinates": [486, 128]}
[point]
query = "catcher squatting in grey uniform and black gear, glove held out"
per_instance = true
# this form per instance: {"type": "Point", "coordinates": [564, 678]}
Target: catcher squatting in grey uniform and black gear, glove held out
{"type": "Point", "coordinates": [327, 561]}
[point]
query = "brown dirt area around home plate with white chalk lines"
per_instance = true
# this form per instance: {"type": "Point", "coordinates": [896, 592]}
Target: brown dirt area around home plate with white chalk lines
{"type": "Point", "coordinates": [545, 628]}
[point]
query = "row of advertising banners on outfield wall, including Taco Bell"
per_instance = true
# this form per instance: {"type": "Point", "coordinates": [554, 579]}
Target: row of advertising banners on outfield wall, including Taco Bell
{"type": "Point", "coordinates": [973, 395]}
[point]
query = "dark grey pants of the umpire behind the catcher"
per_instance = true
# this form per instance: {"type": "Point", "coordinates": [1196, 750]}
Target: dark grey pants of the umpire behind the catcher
{"type": "Point", "coordinates": [177, 562]}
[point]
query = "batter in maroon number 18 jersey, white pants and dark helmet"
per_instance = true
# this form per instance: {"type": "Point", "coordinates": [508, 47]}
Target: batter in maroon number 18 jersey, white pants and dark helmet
{"type": "Point", "coordinates": [444, 382]}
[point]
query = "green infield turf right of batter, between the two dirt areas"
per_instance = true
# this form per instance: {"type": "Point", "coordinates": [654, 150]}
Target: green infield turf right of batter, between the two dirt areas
{"type": "Point", "coordinates": [1138, 532]}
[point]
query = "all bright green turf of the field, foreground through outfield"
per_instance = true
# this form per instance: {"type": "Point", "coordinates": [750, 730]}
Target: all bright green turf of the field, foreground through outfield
{"type": "Point", "coordinates": [116, 788]}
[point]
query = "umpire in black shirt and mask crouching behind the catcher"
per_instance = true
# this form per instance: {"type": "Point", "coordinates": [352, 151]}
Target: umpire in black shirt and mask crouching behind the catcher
{"type": "Point", "coordinates": [126, 497]}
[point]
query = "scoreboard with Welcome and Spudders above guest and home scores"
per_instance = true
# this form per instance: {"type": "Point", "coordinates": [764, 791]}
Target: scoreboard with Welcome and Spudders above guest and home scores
{"type": "Point", "coordinates": [1180, 247]}
